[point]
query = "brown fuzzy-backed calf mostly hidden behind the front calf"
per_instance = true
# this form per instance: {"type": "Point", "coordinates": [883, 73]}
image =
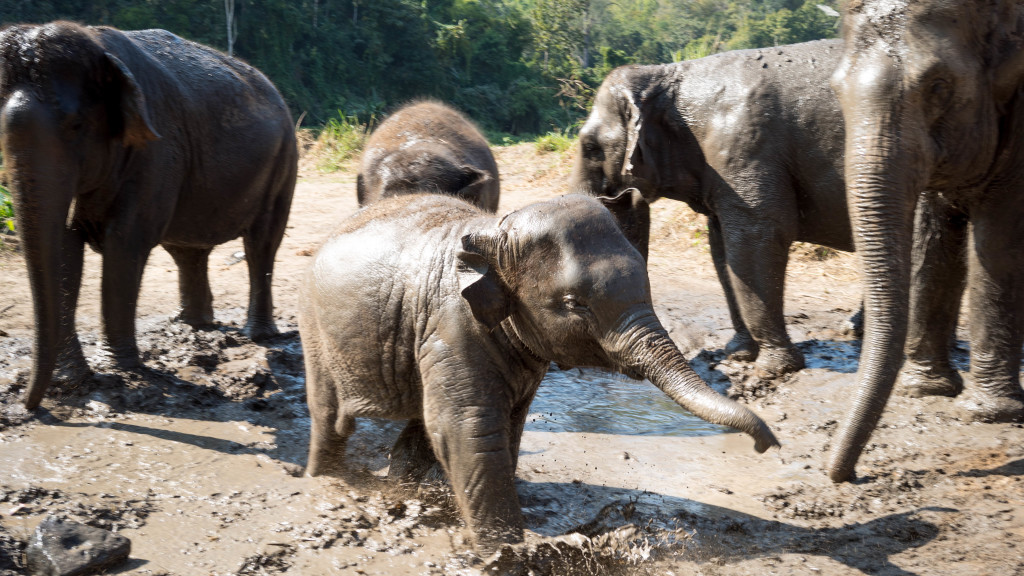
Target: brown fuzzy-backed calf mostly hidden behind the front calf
{"type": "Point", "coordinates": [429, 147]}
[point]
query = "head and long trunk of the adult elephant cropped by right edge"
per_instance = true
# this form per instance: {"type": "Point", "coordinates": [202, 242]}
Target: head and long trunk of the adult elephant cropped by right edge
{"type": "Point", "coordinates": [925, 90]}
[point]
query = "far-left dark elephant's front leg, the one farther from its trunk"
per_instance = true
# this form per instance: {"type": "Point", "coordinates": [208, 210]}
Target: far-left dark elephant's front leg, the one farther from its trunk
{"type": "Point", "coordinates": [123, 265]}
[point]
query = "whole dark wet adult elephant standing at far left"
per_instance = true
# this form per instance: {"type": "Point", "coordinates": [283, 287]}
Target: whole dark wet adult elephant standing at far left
{"type": "Point", "coordinates": [126, 141]}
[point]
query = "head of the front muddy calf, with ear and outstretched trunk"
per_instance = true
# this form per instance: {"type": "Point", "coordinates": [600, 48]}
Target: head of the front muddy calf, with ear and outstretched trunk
{"type": "Point", "coordinates": [576, 293]}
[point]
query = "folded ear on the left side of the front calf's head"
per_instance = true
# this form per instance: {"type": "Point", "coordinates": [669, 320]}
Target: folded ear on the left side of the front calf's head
{"type": "Point", "coordinates": [480, 281]}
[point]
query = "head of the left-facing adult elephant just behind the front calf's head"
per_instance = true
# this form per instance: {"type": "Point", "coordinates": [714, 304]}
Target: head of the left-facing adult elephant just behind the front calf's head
{"type": "Point", "coordinates": [628, 142]}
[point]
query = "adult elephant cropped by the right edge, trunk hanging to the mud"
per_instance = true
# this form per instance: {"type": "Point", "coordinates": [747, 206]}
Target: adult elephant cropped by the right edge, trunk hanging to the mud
{"type": "Point", "coordinates": [932, 98]}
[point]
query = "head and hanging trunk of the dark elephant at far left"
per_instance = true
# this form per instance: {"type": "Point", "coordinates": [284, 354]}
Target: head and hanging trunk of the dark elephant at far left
{"type": "Point", "coordinates": [70, 111]}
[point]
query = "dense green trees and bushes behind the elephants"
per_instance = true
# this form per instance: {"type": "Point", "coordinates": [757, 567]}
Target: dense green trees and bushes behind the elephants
{"type": "Point", "coordinates": [516, 66]}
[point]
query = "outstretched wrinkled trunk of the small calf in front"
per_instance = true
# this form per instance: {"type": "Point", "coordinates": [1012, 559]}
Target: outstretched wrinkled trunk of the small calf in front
{"type": "Point", "coordinates": [650, 353]}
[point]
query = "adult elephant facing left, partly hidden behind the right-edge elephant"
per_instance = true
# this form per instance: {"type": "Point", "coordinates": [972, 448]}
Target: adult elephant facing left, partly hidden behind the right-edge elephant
{"type": "Point", "coordinates": [752, 139]}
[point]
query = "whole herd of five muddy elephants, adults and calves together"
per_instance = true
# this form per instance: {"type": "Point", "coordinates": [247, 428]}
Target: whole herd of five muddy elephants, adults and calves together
{"type": "Point", "coordinates": [904, 141]}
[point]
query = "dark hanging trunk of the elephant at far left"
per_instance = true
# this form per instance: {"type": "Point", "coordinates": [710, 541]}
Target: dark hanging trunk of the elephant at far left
{"type": "Point", "coordinates": [42, 199]}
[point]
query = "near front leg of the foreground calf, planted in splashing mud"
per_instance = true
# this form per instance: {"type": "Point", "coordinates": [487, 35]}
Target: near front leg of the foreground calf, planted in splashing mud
{"type": "Point", "coordinates": [474, 445]}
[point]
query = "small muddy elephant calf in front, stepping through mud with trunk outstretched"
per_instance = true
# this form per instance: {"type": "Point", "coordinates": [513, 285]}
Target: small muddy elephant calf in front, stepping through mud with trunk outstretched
{"type": "Point", "coordinates": [426, 309]}
